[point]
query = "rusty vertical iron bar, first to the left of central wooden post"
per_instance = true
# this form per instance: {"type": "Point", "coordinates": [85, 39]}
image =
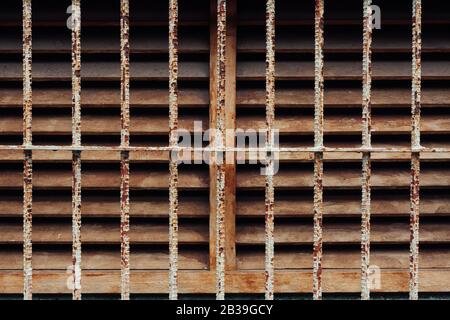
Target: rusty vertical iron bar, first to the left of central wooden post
{"type": "Point", "coordinates": [173, 142]}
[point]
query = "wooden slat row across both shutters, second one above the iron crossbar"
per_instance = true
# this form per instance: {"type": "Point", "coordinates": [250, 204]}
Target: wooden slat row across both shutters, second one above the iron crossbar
{"type": "Point", "coordinates": [285, 98]}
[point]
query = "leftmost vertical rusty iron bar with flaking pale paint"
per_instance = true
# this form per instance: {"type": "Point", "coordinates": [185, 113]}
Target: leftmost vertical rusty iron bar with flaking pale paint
{"type": "Point", "coordinates": [27, 162]}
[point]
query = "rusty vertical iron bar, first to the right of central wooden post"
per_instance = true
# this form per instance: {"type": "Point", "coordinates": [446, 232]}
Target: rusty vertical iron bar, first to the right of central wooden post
{"type": "Point", "coordinates": [270, 118]}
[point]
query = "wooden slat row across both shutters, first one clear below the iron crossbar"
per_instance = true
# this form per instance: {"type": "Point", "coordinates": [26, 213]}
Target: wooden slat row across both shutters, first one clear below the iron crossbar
{"type": "Point", "coordinates": [299, 176]}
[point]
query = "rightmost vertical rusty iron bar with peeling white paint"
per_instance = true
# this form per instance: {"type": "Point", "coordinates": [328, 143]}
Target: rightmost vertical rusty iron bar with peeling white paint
{"type": "Point", "coordinates": [415, 143]}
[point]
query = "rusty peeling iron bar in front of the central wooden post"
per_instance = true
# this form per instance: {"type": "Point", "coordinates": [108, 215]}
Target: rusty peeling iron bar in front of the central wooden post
{"type": "Point", "coordinates": [219, 143]}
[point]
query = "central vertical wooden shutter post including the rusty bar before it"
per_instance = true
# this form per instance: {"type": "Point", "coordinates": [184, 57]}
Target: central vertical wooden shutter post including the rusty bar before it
{"type": "Point", "coordinates": [223, 122]}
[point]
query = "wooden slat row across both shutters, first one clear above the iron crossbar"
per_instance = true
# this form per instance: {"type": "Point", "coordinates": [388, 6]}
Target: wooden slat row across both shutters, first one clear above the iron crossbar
{"type": "Point", "coordinates": [287, 124]}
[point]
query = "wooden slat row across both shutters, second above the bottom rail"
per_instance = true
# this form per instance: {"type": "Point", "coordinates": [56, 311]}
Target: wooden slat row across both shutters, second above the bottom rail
{"type": "Point", "coordinates": [247, 232]}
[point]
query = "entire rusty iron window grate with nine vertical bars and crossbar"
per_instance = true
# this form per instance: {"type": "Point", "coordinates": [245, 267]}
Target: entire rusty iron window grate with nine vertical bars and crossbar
{"type": "Point", "coordinates": [219, 148]}
